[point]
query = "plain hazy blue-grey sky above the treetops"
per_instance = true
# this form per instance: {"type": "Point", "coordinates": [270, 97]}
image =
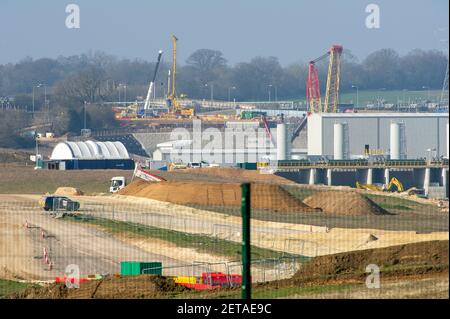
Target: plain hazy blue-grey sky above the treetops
{"type": "Point", "coordinates": [292, 30]}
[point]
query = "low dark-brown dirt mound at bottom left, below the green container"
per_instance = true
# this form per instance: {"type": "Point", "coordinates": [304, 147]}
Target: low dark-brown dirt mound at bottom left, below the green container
{"type": "Point", "coordinates": [128, 287]}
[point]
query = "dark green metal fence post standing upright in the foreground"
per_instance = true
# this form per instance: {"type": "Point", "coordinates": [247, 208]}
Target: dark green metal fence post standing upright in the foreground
{"type": "Point", "coordinates": [246, 255]}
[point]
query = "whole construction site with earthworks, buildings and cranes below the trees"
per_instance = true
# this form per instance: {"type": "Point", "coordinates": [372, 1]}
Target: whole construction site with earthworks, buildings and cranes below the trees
{"type": "Point", "coordinates": [153, 209]}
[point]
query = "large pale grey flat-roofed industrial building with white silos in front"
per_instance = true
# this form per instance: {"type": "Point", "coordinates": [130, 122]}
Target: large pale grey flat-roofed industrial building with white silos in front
{"type": "Point", "coordinates": [348, 135]}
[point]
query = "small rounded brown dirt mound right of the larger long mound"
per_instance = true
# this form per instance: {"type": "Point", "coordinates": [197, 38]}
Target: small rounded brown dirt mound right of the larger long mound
{"type": "Point", "coordinates": [344, 203]}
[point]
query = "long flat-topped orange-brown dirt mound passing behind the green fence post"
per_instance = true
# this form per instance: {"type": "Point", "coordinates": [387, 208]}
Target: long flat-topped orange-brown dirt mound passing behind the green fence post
{"type": "Point", "coordinates": [263, 196]}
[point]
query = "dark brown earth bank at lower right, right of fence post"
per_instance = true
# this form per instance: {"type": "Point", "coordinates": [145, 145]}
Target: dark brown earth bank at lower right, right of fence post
{"type": "Point", "coordinates": [428, 254]}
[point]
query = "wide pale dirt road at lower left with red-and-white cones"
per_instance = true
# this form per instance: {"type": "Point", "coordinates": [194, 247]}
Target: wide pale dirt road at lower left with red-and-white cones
{"type": "Point", "coordinates": [22, 248]}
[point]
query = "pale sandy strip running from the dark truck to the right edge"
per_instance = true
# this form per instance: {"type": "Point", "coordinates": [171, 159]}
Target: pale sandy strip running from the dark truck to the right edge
{"type": "Point", "coordinates": [300, 239]}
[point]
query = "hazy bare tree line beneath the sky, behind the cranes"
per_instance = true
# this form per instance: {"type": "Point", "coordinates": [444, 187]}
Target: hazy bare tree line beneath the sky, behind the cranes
{"type": "Point", "coordinates": [62, 85]}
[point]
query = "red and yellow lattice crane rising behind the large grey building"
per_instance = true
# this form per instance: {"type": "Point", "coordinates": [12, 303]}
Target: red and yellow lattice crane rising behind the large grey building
{"type": "Point", "coordinates": [313, 97]}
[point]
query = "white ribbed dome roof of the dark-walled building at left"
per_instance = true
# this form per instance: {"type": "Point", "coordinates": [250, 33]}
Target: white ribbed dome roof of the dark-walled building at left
{"type": "Point", "coordinates": [89, 150]}
